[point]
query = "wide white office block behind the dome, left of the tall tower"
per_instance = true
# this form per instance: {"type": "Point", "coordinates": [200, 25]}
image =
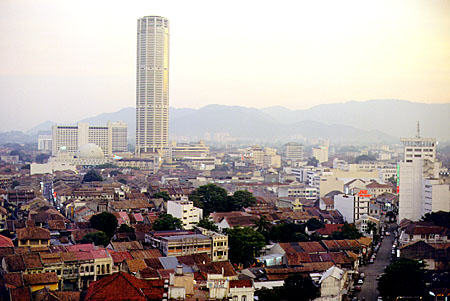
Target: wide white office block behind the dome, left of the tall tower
{"type": "Point", "coordinates": [111, 138]}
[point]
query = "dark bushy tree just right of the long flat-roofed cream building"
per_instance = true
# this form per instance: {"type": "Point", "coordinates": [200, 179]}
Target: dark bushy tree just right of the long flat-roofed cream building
{"type": "Point", "coordinates": [245, 244]}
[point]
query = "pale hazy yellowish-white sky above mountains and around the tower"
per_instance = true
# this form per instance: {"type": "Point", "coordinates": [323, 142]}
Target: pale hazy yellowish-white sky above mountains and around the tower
{"type": "Point", "coordinates": [66, 60]}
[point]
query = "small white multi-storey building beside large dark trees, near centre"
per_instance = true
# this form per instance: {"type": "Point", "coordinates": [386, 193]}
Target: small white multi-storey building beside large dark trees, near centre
{"type": "Point", "coordinates": [186, 212]}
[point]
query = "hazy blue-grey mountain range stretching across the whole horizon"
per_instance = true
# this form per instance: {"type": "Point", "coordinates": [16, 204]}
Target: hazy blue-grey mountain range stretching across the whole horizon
{"type": "Point", "coordinates": [380, 121]}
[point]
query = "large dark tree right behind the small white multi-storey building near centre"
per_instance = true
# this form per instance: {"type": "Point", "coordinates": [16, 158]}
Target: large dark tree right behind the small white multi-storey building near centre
{"type": "Point", "coordinates": [211, 198]}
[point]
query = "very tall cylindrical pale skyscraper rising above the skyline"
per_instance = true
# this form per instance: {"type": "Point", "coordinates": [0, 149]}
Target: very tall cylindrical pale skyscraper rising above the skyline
{"type": "Point", "coordinates": [152, 84]}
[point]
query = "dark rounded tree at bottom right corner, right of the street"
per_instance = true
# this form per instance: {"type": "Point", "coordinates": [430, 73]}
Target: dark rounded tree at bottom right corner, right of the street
{"type": "Point", "coordinates": [405, 277]}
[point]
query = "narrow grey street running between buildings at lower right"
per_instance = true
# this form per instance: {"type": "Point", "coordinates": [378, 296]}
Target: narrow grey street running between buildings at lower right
{"type": "Point", "coordinates": [369, 288]}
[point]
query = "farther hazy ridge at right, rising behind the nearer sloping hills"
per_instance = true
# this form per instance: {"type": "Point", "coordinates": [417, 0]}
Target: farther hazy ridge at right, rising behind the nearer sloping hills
{"type": "Point", "coordinates": [394, 117]}
